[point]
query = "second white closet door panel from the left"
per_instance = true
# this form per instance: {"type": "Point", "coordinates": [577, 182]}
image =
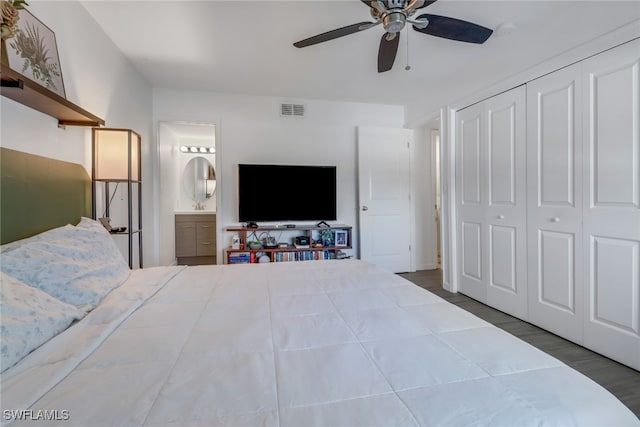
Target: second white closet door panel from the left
{"type": "Point", "coordinates": [505, 214]}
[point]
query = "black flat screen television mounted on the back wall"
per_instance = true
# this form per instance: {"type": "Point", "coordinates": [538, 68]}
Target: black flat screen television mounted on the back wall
{"type": "Point", "coordinates": [286, 193]}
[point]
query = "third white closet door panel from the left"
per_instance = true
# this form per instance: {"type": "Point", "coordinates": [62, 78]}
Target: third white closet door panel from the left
{"type": "Point", "coordinates": [554, 177]}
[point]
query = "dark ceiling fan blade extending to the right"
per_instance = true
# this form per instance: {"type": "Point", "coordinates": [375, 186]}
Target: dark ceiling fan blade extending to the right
{"type": "Point", "coordinates": [454, 29]}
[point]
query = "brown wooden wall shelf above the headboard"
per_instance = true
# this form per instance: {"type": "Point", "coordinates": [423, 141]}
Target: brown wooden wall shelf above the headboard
{"type": "Point", "coordinates": [25, 91]}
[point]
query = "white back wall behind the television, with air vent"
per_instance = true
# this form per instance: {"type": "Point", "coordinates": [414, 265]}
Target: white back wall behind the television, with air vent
{"type": "Point", "coordinates": [251, 130]}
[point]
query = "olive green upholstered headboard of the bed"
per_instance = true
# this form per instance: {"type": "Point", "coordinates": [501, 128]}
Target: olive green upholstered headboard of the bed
{"type": "Point", "coordinates": [38, 193]}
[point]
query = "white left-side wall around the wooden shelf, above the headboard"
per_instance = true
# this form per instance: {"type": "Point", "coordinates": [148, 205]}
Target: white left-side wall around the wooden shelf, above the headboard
{"type": "Point", "coordinates": [97, 78]}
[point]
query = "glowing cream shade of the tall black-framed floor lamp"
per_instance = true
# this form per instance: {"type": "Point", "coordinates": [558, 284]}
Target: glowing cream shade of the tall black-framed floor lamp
{"type": "Point", "coordinates": [115, 151]}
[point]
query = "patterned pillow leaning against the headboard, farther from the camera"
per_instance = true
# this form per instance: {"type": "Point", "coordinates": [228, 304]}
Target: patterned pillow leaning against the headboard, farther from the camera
{"type": "Point", "coordinates": [79, 265]}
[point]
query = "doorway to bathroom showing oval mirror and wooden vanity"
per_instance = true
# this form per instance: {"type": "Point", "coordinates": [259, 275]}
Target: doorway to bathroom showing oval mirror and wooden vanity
{"type": "Point", "coordinates": [188, 196]}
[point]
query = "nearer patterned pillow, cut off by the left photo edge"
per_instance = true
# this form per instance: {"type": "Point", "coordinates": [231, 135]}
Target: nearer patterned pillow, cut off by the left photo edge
{"type": "Point", "coordinates": [29, 318]}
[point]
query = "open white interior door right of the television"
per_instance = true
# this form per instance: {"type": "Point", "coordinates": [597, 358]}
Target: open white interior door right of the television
{"type": "Point", "coordinates": [384, 202]}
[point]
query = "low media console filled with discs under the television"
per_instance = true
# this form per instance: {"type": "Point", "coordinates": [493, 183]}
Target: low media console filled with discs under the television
{"type": "Point", "coordinates": [323, 243]}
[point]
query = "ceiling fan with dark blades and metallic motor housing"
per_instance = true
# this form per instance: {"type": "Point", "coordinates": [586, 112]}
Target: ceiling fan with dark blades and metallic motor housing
{"type": "Point", "coordinates": [394, 15]}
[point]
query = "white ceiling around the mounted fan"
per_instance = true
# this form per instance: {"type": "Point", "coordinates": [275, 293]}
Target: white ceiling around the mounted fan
{"type": "Point", "coordinates": [246, 46]}
